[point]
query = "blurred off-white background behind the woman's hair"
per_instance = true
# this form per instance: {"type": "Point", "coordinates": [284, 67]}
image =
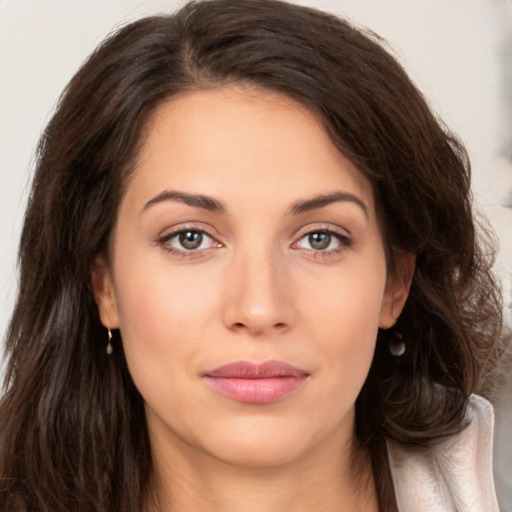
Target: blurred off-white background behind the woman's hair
{"type": "Point", "coordinates": [459, 53]}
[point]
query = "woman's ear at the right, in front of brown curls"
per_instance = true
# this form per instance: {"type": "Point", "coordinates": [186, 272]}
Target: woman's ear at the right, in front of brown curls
{"type": "Point", "coordinates": [397, 290]}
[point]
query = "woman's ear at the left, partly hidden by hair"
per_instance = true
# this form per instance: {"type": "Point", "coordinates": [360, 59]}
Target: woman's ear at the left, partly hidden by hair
{"type": "Point", "coordinates": [103, 291]}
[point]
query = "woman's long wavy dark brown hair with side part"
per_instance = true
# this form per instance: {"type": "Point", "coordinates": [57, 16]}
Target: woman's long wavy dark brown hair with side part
{"type": "Point", "coordinates": [72, 427]}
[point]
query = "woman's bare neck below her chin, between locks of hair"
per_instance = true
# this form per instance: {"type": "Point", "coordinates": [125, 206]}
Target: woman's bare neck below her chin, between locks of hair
{"type": "Point", "coordinates": [324, 481]}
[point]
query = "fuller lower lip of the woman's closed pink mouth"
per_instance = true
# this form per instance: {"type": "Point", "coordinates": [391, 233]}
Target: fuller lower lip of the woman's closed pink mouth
{"type": "Point", "coordinates": [256, 391]}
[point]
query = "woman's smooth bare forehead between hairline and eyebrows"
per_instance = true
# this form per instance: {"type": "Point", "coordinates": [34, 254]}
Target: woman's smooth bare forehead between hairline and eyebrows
{"type": "Point", "coordinates": [230, 141]}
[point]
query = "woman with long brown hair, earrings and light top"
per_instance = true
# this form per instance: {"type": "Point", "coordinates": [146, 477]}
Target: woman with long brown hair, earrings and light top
{"type": "Point", "coordinates": [250, 280]}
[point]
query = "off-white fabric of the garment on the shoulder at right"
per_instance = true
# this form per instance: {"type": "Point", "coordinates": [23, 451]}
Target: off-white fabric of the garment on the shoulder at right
{"type": "Point", "coordinates": [452, 474]}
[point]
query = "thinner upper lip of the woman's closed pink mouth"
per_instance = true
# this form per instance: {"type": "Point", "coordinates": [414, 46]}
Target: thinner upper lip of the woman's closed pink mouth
{"type": "Point", "coordinates": [250, 370]}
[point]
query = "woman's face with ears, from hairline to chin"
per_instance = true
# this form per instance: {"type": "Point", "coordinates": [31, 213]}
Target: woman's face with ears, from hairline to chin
{"type": "Point", "coordinates": [248, 279]}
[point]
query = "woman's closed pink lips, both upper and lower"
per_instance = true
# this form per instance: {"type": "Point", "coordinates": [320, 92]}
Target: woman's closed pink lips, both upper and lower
{"type": "Point", "coordinates": [256, 383]}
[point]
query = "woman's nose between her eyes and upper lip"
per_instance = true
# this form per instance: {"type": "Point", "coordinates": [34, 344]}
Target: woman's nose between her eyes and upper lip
{"type": "Point", "coordinates": [258, 296]}
